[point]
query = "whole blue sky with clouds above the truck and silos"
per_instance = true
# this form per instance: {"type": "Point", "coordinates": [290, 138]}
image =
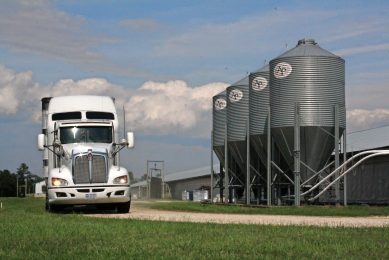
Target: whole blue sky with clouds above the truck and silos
{"type": "Point", "coordinates": [165, 59]}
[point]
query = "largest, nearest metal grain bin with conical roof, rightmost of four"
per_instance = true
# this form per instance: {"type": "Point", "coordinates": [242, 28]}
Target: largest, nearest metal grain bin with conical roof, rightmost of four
{"type": "Point", "coordinates": [314, 79]}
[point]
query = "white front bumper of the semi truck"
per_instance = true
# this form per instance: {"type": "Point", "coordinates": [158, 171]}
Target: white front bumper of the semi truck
{"type": "Point", "coordinates": [89, 195]}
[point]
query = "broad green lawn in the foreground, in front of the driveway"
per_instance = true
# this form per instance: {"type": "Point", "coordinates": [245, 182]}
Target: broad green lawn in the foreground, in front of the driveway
{"type": "Point", "coordinates": [28, 232]}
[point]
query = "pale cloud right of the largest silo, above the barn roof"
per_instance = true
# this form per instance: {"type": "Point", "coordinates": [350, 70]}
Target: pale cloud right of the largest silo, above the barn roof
{"type": "Point", "coordinates": [360, 119]}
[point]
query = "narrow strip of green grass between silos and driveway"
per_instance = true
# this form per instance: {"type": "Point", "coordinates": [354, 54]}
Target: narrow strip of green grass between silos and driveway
{"type": "Point", "coordinates": [349, 211]}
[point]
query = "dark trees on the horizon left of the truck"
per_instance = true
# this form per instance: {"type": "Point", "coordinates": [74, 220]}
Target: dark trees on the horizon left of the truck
{"type": "Point", "coordinates": [14, 184]}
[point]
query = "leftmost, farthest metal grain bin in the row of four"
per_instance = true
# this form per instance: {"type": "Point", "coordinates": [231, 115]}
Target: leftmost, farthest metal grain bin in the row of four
{"type": "Point", "coordinates": [219, 117]}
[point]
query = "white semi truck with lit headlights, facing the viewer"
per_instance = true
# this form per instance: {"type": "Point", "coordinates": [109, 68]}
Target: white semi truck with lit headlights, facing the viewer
{"type": "Point", "coordinates": [81, 162]}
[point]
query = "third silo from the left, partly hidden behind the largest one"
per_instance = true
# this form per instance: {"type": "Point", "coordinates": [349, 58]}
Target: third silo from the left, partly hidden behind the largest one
{"type": "Point", "coordinates": [259, 103]}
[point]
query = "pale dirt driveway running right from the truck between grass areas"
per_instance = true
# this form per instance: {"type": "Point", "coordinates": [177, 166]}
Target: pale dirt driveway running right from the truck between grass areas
{"type": "Point", "coordinates": [139, 212]}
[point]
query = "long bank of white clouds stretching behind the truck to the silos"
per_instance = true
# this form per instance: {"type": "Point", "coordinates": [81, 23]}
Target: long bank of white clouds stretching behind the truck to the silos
{"type": "Point", "coordinates": [155, 108]}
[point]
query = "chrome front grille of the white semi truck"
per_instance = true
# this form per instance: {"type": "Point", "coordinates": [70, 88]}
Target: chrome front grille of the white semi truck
{"type": "Point", "coordinates": [85, 171]}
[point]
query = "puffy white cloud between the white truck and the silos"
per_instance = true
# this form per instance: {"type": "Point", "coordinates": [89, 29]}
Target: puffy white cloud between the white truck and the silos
{"type": "Point", "coordinates": [172, 107]}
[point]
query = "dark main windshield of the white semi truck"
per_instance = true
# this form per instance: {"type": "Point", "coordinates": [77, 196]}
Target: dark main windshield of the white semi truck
{"type": "Point", "coordinates": [86, 134]}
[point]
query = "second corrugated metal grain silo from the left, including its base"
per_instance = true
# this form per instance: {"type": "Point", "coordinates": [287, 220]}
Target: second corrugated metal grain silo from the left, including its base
{"type": "Point", "coordinates": [237, 124]}
